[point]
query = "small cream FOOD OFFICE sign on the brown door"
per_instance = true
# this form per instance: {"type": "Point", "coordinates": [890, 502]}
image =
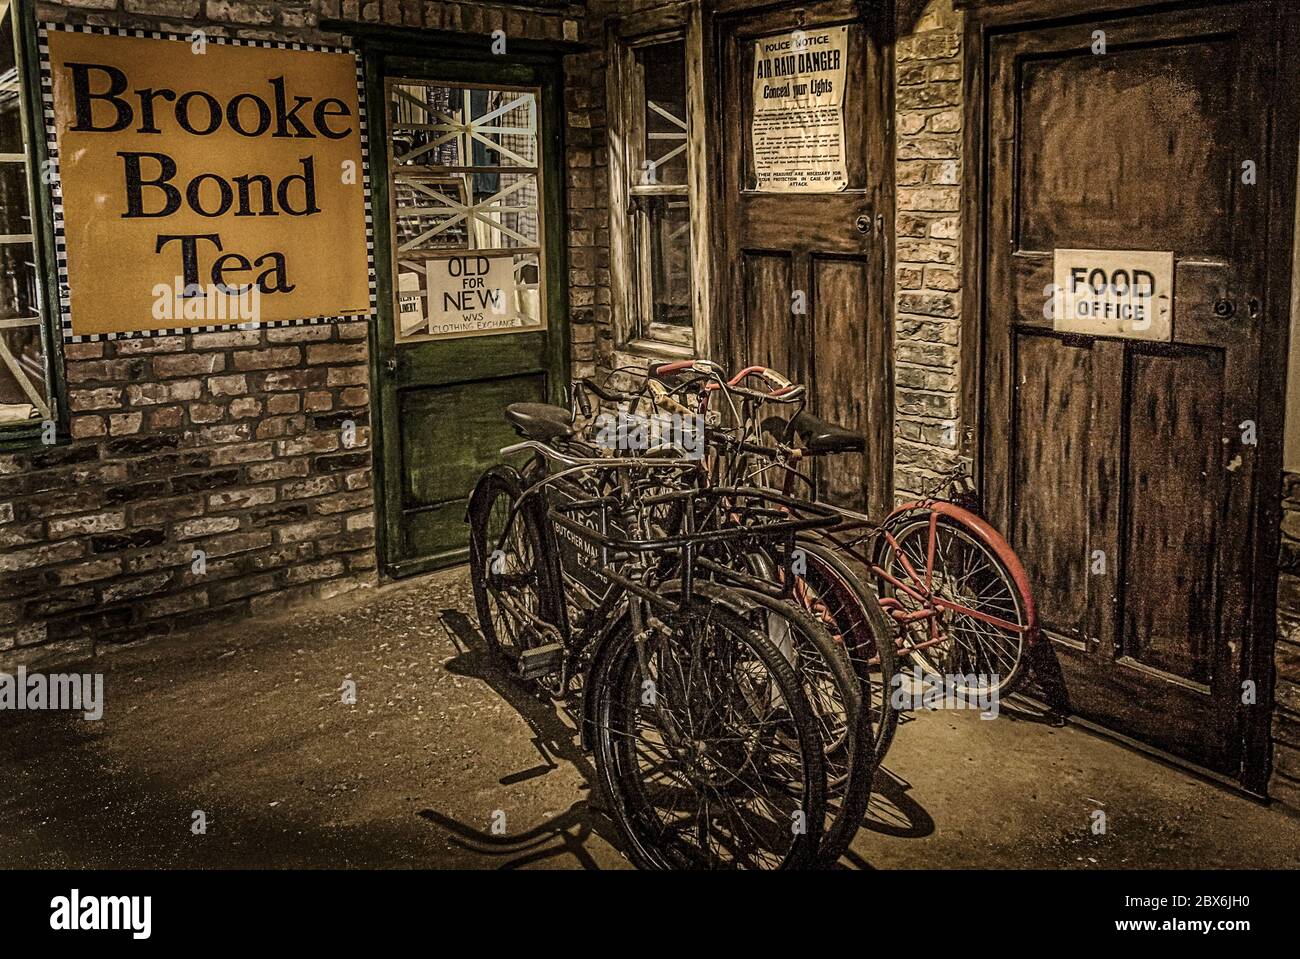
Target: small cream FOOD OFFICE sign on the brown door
{"type": "Point", "coordinates": [1115, 293]}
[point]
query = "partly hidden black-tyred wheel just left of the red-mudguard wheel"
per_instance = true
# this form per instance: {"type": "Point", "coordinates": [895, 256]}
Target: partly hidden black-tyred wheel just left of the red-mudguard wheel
{"type": "Point", "coordinates": [835, 596]}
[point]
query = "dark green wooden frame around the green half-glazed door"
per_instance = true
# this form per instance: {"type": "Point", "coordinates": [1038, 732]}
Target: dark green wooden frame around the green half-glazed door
{"type": "Point", "coordinates": [458, 53]}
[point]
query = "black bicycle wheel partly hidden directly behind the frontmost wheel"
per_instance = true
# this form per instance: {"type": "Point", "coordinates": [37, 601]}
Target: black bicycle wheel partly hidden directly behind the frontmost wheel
{"type": "Point", "coordinates": [835, 693]}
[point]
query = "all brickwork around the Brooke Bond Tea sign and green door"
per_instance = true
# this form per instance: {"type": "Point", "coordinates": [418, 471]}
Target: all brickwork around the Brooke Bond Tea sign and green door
{"type": "Point", "coordinates": [250, 448]}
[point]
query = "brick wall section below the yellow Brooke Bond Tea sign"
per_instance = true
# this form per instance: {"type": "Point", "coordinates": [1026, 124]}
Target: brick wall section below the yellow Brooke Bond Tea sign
{"type": "Point", "coordinates": [210, 475]}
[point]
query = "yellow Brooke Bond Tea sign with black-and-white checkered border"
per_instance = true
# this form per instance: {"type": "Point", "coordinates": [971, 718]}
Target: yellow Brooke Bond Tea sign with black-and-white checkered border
{"type": "Point", "coordinates": [206, 184]}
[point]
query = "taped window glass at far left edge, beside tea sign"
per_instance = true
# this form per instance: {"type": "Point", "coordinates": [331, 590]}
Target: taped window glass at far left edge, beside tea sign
{"type": "Point", "coordinates": [24, 381]}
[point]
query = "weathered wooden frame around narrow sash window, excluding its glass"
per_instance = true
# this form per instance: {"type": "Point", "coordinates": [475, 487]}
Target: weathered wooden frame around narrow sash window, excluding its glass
{"type": "Point", "coordinates": [626, 105]}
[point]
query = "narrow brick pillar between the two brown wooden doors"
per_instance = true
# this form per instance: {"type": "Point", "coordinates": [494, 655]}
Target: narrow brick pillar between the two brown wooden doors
{"type": "Point", "coordinates": [928, 270]}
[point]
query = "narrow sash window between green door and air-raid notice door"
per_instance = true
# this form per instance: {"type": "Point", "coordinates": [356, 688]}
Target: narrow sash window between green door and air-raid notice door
{"type": "Point", "coordinates": [656, 197]}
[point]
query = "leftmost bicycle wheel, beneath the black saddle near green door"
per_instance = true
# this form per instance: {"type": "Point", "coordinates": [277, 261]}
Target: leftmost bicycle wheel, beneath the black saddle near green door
{"type": "Point", "coordinates": [517, 593]}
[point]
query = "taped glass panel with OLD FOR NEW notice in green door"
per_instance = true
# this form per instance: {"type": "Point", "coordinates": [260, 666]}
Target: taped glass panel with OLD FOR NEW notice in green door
{"type": "Point", "coordinates": [465, 186]}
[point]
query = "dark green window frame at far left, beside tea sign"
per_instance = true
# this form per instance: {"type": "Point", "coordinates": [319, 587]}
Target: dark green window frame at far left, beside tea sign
{"type": "Point", "coordinates": [28, 435]}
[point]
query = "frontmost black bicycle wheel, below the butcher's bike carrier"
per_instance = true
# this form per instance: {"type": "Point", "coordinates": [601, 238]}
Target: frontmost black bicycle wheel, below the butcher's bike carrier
{"type": "Point", "coordinates": [707, 749]}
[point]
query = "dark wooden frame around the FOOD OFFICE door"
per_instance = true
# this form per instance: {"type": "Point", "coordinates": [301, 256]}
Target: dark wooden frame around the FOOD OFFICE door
{"type": "Point", "coordinates": [989, 19]}
